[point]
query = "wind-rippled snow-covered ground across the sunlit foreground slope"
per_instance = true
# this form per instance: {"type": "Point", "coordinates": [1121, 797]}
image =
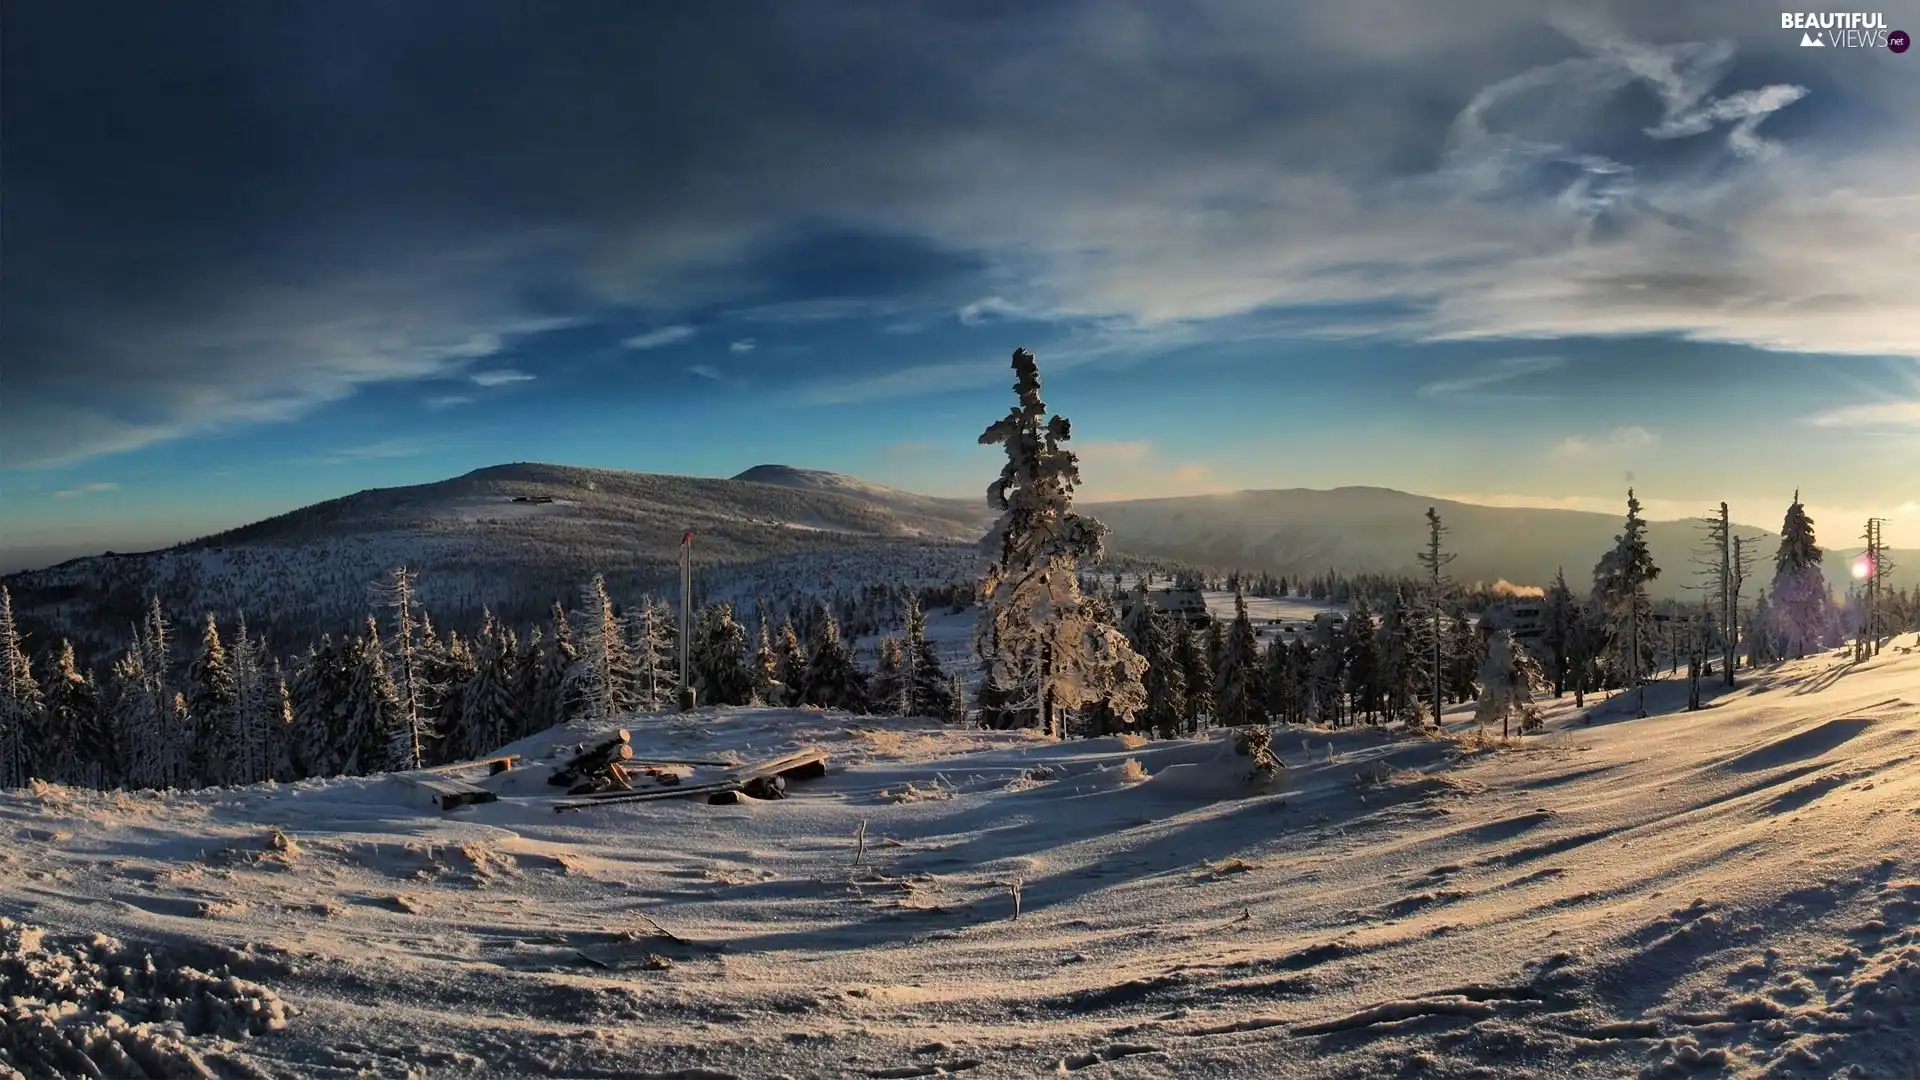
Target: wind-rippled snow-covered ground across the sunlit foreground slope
{"type": "Point", "coordinates": [1731, 893]}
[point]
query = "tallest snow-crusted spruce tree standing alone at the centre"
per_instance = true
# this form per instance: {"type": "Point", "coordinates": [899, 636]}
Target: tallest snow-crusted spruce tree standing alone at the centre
{"type": "Point", "coordinates": [1036, 633]}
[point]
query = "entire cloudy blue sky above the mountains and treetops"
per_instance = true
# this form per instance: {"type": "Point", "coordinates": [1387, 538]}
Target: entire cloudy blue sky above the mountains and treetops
{"type": "Point", "coordinates": [264, 257]}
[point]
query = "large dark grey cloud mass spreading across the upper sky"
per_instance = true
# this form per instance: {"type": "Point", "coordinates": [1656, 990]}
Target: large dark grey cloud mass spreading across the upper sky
{"type": "Point", "coordinates": [1470, 170]}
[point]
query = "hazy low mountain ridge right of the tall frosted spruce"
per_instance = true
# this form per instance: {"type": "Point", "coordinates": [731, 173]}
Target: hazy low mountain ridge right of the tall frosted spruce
{"type": "Point", "coordinates": [1305, 531]}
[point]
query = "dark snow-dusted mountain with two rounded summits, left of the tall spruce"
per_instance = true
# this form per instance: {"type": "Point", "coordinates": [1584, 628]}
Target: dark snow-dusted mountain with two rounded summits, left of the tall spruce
{"type": "Point", "coordinates": [516, 539]}
